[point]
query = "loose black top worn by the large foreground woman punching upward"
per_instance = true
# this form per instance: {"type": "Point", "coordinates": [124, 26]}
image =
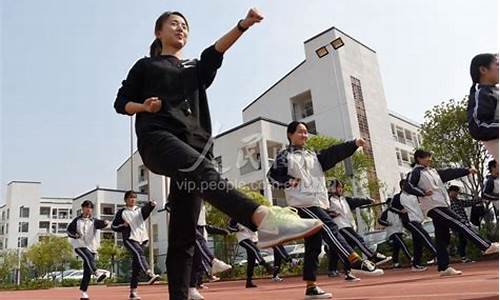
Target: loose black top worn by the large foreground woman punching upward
{"type": "Point", "coordinates": [181, 85]}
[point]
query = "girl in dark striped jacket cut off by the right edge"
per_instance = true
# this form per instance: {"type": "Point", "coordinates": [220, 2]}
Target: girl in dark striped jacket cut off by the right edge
{"type": "Point", "coordinates": [482, 108]}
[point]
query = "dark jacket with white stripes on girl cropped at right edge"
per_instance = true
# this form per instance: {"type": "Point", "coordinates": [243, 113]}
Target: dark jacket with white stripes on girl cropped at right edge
{"type": "Point", "coordinates": [482, 113]}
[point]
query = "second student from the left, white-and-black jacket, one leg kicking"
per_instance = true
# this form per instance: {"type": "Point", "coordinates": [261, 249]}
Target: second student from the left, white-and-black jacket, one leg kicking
{"type": "Point", "coordinates": [131, 222]}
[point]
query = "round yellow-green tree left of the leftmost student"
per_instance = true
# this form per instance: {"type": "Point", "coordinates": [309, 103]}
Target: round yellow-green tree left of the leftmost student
{"type": "Point", "coordinates": [50, 254]}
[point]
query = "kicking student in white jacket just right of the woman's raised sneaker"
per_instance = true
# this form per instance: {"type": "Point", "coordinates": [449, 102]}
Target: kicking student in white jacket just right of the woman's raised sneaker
{"type": "Point", "coordinates": [300, 172]}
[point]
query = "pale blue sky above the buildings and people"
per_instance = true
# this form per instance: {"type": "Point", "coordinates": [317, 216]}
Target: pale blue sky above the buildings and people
{"type": "Point", "coordinates": [62, 63]}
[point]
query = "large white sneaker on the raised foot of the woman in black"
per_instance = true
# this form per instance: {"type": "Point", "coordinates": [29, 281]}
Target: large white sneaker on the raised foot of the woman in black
{"type": "Point", "coordinates": [283, 224]}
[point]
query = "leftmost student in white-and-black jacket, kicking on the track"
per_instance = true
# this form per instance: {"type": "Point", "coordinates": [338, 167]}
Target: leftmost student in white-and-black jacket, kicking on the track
{"type": "Point", "coordinates": [83, 233]}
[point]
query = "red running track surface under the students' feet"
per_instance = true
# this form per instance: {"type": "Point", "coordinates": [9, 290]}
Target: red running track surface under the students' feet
{"type": "Point", "coordinates": [479, 281]}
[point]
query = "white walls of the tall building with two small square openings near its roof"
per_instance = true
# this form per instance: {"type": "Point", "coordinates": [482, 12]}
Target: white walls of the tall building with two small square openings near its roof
{"type": "Point", "coordinates": [328, 79]}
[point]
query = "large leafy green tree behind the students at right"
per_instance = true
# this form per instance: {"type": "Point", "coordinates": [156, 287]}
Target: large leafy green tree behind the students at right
{"type": "Point", "coordinates": [445, 134]}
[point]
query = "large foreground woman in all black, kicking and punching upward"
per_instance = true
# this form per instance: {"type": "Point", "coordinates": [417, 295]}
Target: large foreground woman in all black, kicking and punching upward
{"type": "Point", "coordinates": [173, 127]}
